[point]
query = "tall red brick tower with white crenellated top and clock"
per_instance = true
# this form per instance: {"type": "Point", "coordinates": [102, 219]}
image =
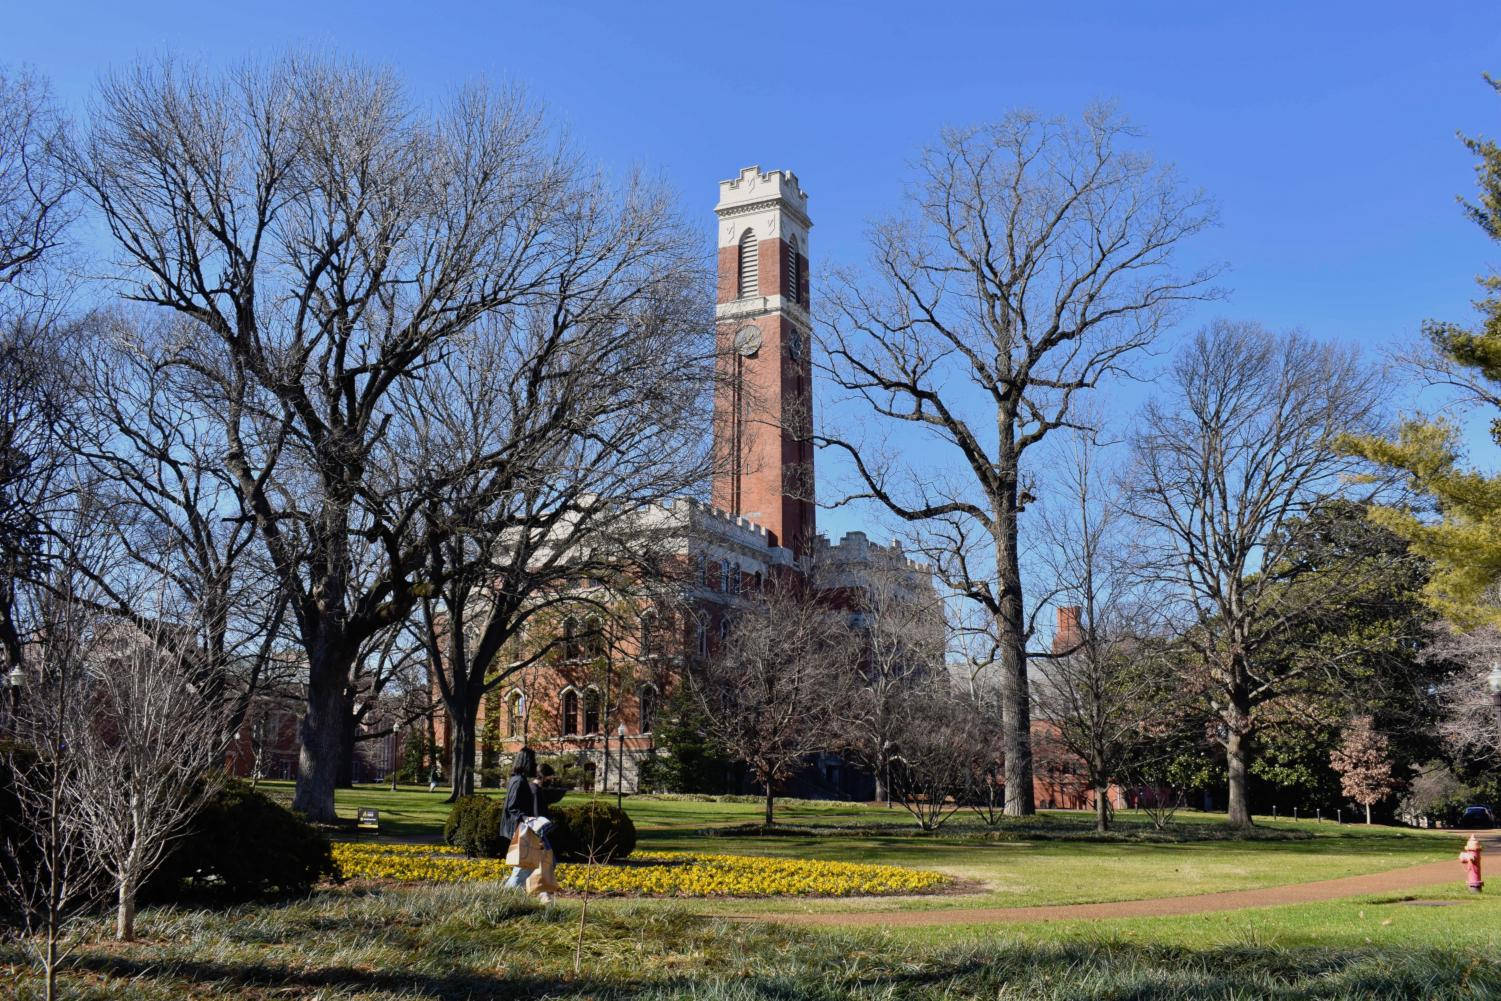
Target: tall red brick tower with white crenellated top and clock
{"type": "Point", "coordinates": [765, 401]}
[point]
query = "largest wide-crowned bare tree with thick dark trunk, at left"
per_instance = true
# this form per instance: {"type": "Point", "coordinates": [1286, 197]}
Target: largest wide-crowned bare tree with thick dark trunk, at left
{"type": "Point", "coordinates": [328, 245]}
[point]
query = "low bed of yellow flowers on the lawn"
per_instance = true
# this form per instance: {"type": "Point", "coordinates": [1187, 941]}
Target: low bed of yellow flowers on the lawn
{"type": "Point", "coordinates": [648, 874]}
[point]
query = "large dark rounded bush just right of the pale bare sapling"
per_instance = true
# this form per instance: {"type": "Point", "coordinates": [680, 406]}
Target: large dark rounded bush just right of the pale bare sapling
{"type": "Point", "coordinates": [241, 847]}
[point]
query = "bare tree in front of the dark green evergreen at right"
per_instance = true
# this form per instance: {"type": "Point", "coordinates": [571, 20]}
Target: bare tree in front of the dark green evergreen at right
{"type": "Point", "coordinates": [1230, 460]}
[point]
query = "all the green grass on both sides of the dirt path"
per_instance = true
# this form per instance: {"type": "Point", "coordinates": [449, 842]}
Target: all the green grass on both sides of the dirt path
{"type": "Point", "coordinates": [475, 942]}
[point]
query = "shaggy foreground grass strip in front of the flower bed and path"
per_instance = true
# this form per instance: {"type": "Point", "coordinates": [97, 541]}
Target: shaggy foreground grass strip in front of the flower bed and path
{"type": "Point", "coordinates": [475, 942]}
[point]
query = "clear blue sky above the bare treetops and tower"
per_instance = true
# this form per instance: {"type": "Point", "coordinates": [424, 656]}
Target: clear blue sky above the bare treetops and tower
{"type": "Point", "coordinates": [1325, 131]}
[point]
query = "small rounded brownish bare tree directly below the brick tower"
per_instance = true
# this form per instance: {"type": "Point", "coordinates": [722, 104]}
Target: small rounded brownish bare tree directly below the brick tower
{"type": "Point", "coordinates": [771, 690]}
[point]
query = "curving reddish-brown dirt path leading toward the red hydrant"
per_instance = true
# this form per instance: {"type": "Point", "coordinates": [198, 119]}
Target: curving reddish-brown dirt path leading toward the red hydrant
{"type": "Point", "coordinates": [1403, 880]}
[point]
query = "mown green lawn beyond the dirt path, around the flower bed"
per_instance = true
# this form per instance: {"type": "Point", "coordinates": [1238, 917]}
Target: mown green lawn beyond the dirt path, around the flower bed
{"type": "Point", "coordinates": [1015, 873]}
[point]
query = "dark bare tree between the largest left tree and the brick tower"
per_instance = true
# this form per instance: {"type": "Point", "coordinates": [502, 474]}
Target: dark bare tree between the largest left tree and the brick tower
{"type": "Point", "coordinates": [577, 424]}
